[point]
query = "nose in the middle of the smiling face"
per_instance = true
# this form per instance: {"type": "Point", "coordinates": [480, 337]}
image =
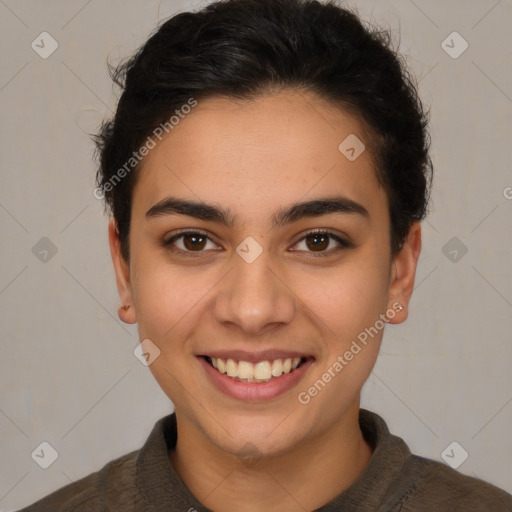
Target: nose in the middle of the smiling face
{"type": "Point", "coordinates": [254, 297]}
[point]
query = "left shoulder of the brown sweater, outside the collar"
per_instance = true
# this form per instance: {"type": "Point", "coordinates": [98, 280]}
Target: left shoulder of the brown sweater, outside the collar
{"type": "Point", "coordinates": [109, 488]}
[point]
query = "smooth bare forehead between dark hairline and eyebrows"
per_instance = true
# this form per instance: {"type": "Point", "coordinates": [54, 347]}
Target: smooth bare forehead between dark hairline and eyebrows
{"type": "Point", "coordinates": [260, 154]}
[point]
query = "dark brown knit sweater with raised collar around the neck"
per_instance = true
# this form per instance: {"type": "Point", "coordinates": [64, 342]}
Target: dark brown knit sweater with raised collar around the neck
{"type": "Point", "coordinates": [394, 481]}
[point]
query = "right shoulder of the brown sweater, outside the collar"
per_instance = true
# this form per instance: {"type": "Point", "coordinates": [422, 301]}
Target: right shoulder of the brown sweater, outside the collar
{"type": "Point", "coordinates": [441, 488]}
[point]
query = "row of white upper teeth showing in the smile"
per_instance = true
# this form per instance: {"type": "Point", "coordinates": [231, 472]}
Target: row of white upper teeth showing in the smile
{"type": "Point", "coordinates": [261, 371]}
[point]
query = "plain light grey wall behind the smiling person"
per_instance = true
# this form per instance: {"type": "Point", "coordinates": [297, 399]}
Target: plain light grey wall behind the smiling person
{"type": "Point", "coordinates": [69, 376]}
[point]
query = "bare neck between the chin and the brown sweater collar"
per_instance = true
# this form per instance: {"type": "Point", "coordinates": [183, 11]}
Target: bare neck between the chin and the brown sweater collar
{"type": "Point", "coordinates": [306, 478]}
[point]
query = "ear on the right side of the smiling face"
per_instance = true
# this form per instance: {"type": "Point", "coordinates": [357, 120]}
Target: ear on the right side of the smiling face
{"type": "Point", "coordinates": [403, 273]}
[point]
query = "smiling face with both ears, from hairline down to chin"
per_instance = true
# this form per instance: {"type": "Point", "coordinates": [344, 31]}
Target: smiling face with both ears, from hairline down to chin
{"type": "Point", "coordinates": [256, 244]}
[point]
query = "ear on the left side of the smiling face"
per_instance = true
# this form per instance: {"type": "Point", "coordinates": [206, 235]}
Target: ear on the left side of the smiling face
{"type": "Point", "coordinates": [126, 309]}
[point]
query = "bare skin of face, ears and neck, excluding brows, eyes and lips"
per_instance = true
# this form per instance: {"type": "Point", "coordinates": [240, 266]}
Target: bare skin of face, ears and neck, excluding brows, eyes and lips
{"type": "Point", "coordinates": [255, 158]}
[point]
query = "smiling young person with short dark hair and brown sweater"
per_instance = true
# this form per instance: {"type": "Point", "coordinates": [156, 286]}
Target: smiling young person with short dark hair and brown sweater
{"type": "Point", "coordinates": [267, 170]}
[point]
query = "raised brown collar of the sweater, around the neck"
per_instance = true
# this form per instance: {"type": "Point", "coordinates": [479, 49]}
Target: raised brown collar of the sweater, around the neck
{"type": "Point", "coordinates": [380, 486]}
